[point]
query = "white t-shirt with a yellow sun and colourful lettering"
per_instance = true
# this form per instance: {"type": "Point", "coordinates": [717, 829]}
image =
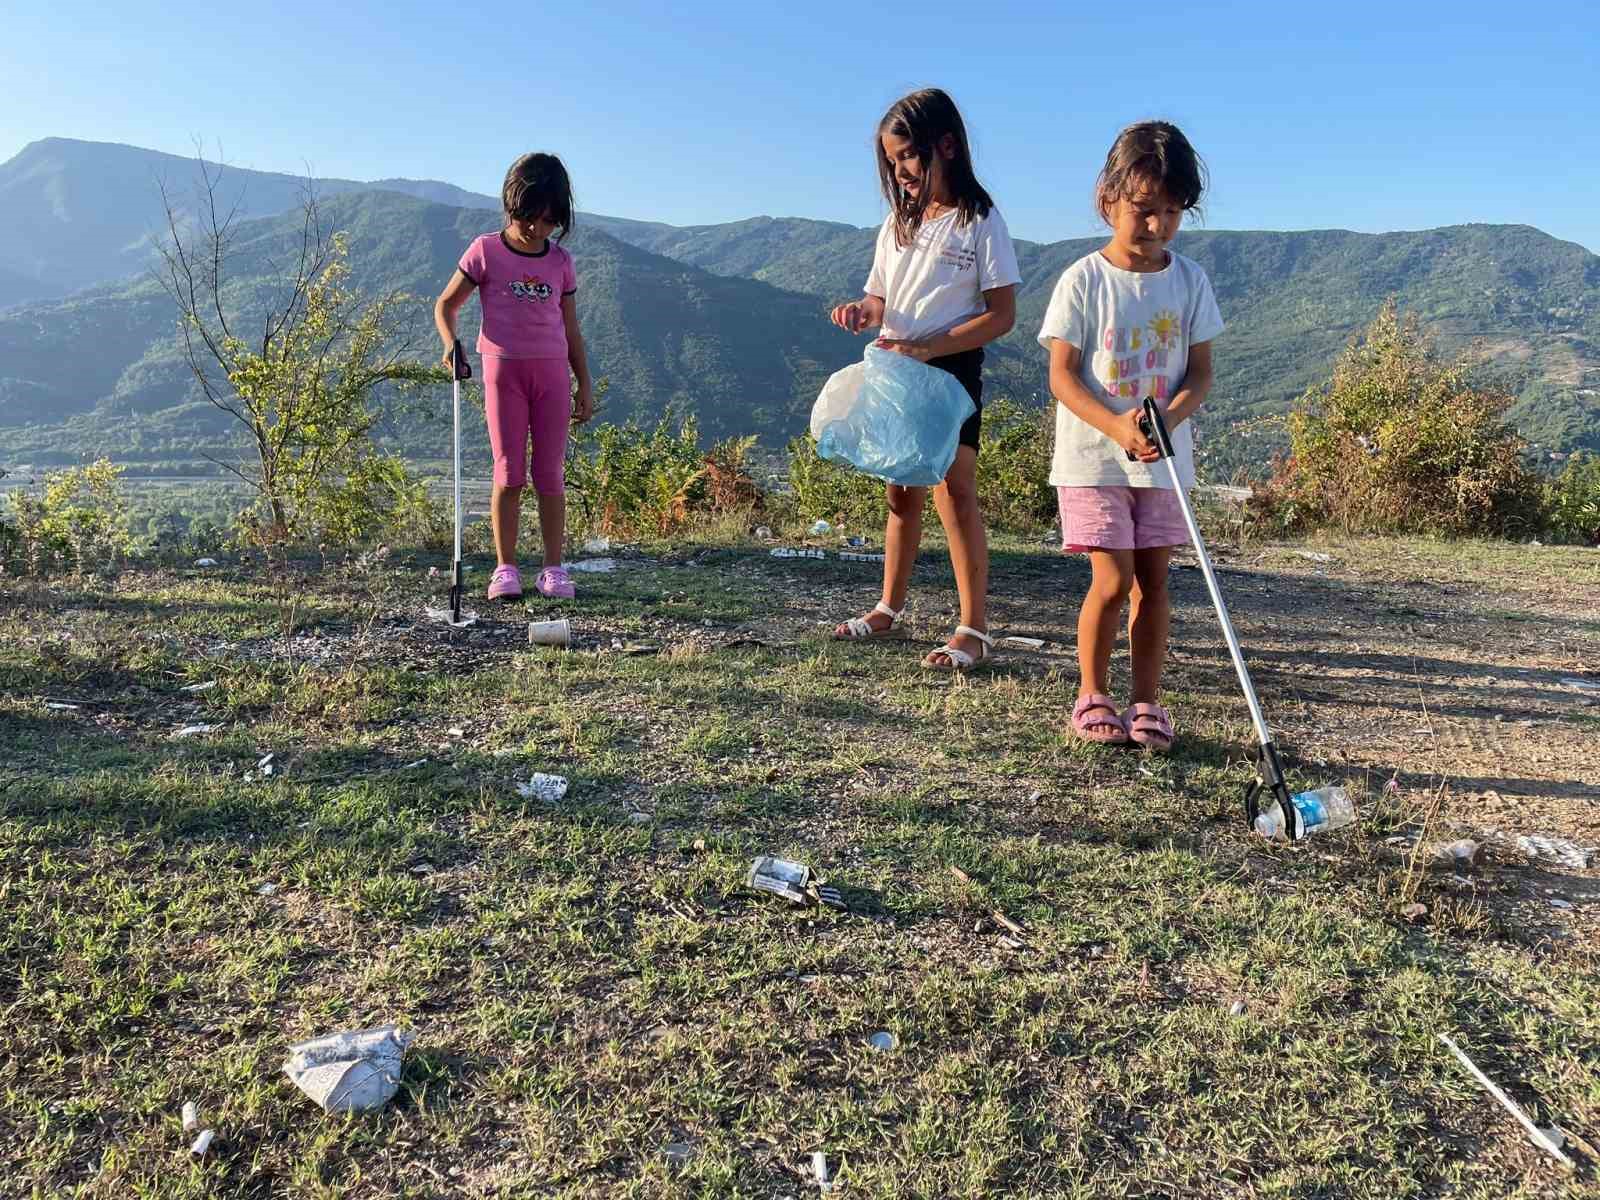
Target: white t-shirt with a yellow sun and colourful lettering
{"type": "Point", "coordinates": [1135, 330]}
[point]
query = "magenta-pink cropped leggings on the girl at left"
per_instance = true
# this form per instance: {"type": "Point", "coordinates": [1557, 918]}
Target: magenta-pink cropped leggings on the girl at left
{"type": "Point", "coordinates": [522, 398]}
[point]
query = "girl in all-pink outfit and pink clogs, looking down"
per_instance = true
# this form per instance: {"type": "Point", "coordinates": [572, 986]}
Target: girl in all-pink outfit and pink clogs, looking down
{"type": "Point", "coordinates": [532, 348]}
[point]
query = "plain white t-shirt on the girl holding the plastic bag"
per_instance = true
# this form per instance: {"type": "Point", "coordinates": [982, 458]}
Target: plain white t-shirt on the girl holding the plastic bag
{"type": "Point", "coordinates": [942, 278]}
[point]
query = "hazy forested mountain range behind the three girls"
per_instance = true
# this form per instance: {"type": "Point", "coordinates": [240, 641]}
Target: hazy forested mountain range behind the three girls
{"type": "Point", "coordinates": [726, 321]}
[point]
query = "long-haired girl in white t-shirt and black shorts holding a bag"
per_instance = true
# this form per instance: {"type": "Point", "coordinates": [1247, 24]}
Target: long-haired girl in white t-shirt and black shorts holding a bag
{"type": "Point", "coordinates": [943, 287]}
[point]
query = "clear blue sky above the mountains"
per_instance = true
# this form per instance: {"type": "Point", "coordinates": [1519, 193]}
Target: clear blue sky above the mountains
{"type": "Point", "coordinates": [1372, 118]}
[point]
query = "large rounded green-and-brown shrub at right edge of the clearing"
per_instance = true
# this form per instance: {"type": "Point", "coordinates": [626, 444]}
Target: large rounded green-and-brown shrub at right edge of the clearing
{"type": "Point", "coordinates": [1396, 442]}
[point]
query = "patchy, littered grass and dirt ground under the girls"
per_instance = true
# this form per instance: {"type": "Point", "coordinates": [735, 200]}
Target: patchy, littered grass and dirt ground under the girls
{"type": "Point", "coordinates": [1191, 1012]}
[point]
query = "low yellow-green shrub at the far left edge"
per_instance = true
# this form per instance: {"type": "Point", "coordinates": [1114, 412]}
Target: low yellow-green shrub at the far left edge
{"type": "Point", "coordinates": [76, 522]}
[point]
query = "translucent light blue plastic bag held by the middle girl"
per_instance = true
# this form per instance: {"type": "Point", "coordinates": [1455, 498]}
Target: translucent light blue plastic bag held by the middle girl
{"type": "Point", "coordinates": [892, 417]}
